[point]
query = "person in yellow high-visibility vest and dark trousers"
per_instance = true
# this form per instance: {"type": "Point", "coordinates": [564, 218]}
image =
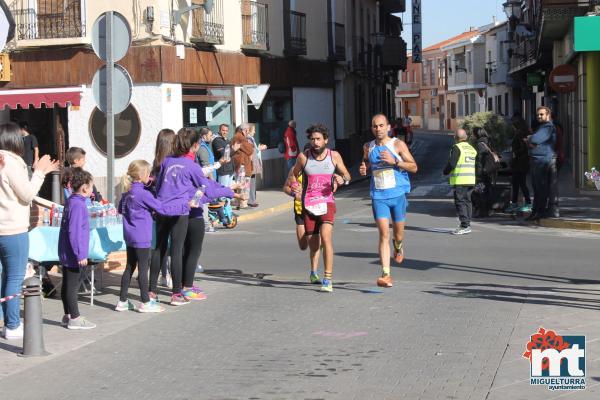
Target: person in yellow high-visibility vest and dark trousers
{"type": "Point", "coordinates": [461, 168]}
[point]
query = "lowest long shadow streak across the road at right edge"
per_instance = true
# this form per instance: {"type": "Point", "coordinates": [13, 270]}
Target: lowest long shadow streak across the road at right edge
{"type": "Point", "coordinates": [553, 296]}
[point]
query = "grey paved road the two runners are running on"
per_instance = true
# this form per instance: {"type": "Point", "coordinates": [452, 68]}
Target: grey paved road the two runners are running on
{"type": "Point", "coordinates": [453, 327]}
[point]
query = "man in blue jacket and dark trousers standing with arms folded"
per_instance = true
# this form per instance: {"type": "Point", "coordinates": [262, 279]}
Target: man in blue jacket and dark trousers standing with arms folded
{"type": "Point", "coordinates": [541, 151]}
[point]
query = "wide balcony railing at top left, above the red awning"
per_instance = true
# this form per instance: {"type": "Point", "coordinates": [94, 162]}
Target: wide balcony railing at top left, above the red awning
{"type": "Point", "coordinates": [49, 19]}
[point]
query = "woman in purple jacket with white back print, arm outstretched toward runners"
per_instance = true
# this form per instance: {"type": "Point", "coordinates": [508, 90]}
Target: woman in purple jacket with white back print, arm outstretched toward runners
{"type": "Point", "coordinates": [177, 182]}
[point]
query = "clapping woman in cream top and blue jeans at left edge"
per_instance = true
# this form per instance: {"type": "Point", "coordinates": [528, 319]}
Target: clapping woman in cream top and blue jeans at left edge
{"type": "Point", "coordinates": [17, 191]}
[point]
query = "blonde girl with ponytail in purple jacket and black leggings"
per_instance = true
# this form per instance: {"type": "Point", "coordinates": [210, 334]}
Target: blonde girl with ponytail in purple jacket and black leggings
{"type": "Point", "coordinates": [136, 206]}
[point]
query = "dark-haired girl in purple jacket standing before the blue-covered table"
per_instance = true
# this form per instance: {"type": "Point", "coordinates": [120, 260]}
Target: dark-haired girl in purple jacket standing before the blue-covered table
{"type": "Point", "coordinates": [73, 247]}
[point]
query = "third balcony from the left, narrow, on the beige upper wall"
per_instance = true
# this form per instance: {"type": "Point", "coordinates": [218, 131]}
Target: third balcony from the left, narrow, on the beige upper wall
{"type": "Point", "coordinates": [255, 32]}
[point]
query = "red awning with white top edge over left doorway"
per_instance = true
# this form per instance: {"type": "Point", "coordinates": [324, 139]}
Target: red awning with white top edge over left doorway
{"type": "Point", "coordinates": [26, 98]}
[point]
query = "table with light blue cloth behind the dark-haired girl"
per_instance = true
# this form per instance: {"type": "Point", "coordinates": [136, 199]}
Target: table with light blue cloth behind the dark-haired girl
{"type": "Point", "coordinates": [43, 250]}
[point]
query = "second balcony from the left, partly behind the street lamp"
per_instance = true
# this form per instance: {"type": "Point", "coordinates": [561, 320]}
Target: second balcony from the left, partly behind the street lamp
{"type": "Point", "coordinates": [208, 27]}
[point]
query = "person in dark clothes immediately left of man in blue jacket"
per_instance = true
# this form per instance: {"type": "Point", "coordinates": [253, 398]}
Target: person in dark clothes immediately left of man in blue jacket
{"type": "Point", "coordinates": [519, 166]}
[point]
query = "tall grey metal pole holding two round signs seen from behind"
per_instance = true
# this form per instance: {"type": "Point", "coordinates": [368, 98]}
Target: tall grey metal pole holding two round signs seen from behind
{"type": "Point", "coordinates": [110, 118]}
